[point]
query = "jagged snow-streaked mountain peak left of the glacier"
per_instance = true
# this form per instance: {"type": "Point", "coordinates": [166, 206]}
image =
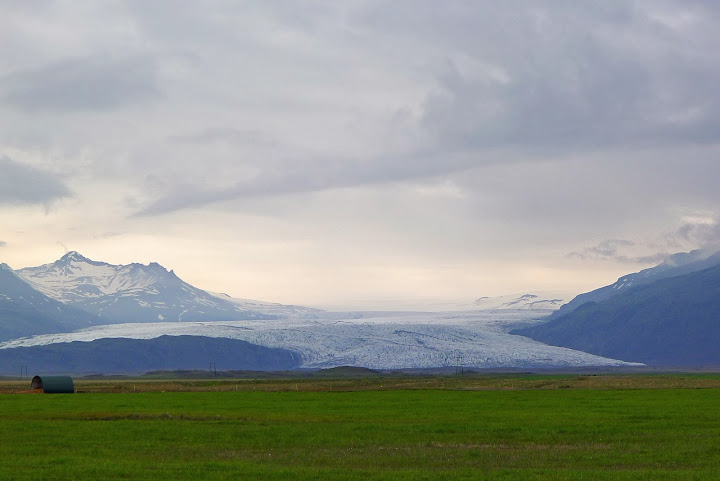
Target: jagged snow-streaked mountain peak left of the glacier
{"type": "Point", "coordinates": [130, 293]}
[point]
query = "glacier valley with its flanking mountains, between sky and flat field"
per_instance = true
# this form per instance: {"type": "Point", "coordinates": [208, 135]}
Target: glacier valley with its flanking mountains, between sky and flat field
{"type": "Point", "coordinates": [78, 315]}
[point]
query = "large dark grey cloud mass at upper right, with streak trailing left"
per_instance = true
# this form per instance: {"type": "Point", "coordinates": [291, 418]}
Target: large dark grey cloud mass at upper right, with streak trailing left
{"type": "Point", "coordinates": [533, 79]}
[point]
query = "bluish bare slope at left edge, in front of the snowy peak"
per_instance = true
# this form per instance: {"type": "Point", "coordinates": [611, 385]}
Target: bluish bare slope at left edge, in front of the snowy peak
{"type": "Point", "coordinates": [25, 311]}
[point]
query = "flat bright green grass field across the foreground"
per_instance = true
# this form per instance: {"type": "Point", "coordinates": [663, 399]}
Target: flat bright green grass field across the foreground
{"type": "Point", "coordinates": [368, 434]}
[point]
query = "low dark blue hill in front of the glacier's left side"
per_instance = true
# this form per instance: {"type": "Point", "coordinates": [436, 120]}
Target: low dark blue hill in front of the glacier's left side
{"type": "Point", "coordinates": [125, 356]}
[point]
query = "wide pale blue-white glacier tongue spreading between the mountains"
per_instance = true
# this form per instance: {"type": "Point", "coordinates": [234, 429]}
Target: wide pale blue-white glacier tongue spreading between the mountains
{"type": "Point", "coordinates": [419, 340]}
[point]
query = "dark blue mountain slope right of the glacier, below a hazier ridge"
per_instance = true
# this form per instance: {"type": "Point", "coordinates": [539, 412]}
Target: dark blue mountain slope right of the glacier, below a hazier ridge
{"type": "Point", "coordinates": [673, 321]}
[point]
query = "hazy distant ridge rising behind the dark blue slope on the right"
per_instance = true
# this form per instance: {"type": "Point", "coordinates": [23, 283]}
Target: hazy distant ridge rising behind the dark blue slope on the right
{"type": "Point", "coordinates": [675, 265]}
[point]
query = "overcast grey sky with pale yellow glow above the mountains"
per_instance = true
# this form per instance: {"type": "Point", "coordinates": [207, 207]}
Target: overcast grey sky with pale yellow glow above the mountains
{"type": "Point", "coordinates": [361, 152]}
